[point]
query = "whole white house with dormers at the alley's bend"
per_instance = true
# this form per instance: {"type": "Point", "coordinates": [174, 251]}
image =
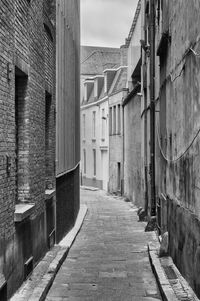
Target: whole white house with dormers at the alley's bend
{"type": "Point", "coordinates": [94, 140]}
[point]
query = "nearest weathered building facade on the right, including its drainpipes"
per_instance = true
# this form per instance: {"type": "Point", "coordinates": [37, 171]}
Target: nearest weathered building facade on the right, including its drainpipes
{"type": "Point", "coordinates": [170, 88]}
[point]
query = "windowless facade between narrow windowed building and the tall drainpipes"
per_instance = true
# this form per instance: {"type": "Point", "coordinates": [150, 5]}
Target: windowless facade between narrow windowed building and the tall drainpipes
{"type": "Point", "coordinates": [132, 115]}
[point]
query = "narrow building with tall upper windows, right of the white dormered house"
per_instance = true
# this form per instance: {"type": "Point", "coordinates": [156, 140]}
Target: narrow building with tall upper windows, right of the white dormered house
{"type": "Point", "coordinates": [116, 89]}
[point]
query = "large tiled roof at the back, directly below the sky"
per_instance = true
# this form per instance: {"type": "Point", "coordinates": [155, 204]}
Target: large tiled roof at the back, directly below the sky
{"type": "Point", "coordinates": [94, 60]}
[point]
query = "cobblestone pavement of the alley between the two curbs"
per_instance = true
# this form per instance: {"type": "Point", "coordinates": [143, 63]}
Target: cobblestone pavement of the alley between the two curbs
{"type": "Point", "coordinates": [109, 259]}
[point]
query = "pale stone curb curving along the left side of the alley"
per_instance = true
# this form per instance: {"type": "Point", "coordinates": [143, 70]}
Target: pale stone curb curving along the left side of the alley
{"type": "Point", "coordinates": [59, 254]}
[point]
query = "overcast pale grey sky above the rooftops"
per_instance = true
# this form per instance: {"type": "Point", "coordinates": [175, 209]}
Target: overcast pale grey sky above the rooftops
{"type": "Point", "coordinates": [106, 22]}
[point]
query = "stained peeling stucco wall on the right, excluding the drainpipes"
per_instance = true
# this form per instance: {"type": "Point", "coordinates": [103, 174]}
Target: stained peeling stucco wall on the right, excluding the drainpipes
{"type": "Point", "coordinates": [178, 124]}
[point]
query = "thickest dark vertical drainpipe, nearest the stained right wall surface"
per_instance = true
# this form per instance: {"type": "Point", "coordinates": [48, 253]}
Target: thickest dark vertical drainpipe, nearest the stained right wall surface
{"type": "Point", "coordinates": [152, 106]}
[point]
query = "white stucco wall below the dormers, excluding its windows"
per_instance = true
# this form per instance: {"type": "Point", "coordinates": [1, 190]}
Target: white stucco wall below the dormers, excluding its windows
{"type": "Point", "coordinates": [99, 143]}
